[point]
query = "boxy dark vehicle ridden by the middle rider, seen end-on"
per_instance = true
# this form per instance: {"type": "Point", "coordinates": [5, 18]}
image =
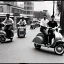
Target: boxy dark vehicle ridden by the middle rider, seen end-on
{"type": "Point", "coordinates": [21, 30]}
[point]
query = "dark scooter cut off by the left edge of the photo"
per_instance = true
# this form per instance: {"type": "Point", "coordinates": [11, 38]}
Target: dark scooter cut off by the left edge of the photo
{"type": "Point", "coordinates": [6, 32]}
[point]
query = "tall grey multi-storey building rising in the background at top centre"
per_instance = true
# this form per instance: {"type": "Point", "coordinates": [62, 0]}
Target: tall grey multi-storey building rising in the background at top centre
{"type": "Point", "coordinates": [28, 7]}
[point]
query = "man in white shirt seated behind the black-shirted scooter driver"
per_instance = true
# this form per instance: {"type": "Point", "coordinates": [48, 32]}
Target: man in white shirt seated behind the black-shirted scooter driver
{"type": "Point", "coordinates": [43, 27]}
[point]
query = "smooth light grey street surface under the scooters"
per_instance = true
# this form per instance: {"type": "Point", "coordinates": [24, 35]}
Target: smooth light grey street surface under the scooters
{"type": "Point", "coordinates": [22, 50]}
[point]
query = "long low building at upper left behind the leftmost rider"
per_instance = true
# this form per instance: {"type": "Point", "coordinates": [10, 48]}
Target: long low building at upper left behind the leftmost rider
{"type": "Point", "coordinates": [11, 8]}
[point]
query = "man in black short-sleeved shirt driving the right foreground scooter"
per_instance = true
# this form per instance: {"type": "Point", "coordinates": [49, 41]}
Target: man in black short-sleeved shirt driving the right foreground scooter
{"type": "Point", "coordinates": [52, 24]}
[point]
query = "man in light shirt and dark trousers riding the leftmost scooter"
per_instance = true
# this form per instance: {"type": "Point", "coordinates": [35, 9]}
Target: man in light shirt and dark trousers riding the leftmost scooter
{"type": "Point", "coordinates": [8, 22]}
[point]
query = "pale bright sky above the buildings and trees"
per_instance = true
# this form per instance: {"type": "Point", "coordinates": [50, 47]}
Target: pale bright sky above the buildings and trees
{"type": "Point", "coordinates": [42, 5]}
